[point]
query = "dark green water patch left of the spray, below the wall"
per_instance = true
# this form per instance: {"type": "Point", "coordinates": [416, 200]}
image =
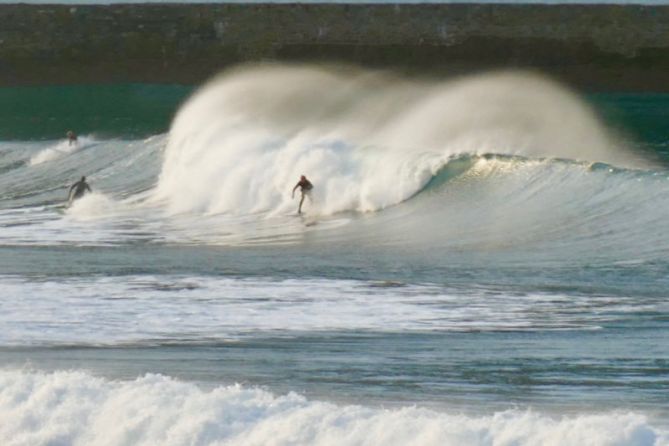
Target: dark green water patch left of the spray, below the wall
{"type": "Point", "coordinates": [126, 110]}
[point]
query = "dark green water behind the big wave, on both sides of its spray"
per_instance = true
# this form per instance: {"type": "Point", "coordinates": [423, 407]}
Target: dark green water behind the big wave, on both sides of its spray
{"type": "Point", "coordinates": [140, 110]}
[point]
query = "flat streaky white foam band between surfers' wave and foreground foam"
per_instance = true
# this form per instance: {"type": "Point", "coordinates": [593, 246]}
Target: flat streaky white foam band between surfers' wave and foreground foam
{"type": "Point", "coordinates": [144, 309]}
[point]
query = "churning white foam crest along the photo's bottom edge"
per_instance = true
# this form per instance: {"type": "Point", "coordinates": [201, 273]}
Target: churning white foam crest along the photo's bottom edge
{"type": "Point", "coordinates": [75, 408]}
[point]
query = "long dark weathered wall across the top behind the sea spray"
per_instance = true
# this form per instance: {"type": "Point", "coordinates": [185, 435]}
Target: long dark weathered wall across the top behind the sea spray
{"type": "Point", "coordinates": [593, 47]}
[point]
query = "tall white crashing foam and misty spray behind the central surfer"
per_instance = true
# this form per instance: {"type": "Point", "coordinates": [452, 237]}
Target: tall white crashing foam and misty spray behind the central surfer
{"type": "Point", "coordinates": [367, 140]}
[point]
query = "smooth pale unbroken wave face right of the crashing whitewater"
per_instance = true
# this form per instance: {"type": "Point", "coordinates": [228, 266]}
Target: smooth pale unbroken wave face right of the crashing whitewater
{"type": "Point", "coordinates": [549, 208]}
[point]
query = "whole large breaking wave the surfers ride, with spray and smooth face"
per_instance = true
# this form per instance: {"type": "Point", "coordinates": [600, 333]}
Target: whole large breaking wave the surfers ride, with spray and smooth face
{"type": "Point", "coordinates": [498, 161]}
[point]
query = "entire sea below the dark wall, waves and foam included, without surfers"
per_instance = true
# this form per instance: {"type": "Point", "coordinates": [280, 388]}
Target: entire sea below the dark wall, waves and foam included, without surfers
{"type": "Point", "coordinates": [484, 261]}
